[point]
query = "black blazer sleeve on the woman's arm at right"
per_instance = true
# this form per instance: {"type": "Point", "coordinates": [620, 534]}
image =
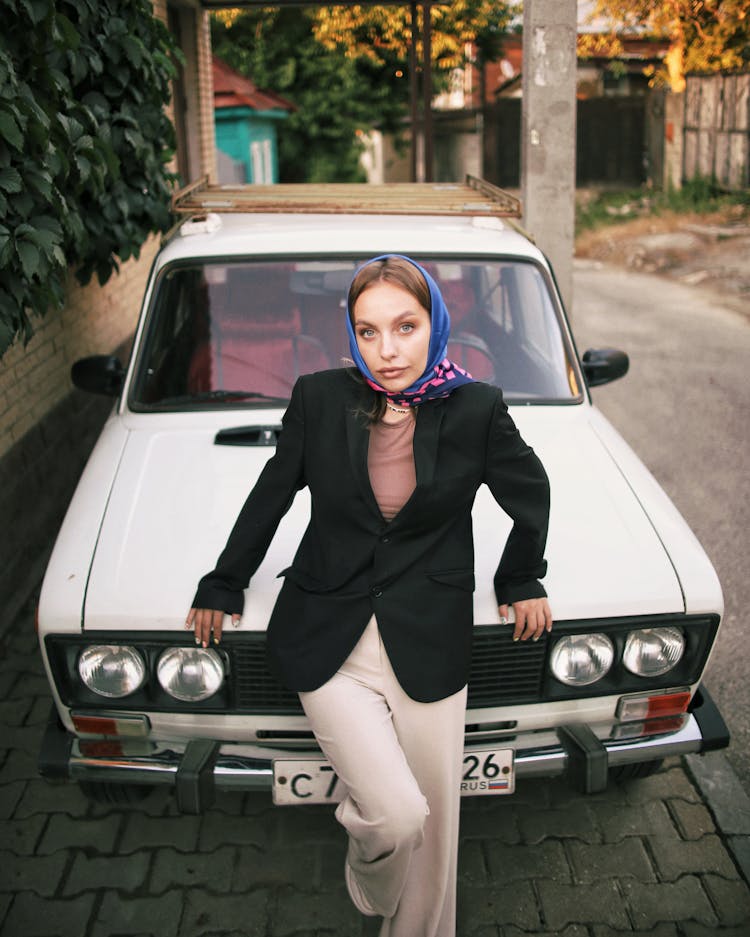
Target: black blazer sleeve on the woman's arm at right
{"type": "Point", "coordinates": [519, 484]}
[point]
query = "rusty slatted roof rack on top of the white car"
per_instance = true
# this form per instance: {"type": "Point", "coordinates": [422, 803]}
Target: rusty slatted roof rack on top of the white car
{"type": "Point", "coordinates": [472, 197]}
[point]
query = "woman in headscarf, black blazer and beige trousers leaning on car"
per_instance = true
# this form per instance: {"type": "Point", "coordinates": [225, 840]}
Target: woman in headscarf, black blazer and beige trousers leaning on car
{"type": "Point", "coordinates": [373, 624]}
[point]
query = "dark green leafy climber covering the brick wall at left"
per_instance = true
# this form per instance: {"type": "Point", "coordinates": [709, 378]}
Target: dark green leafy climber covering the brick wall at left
{"type": "Point", "coordinates": [84, 143]}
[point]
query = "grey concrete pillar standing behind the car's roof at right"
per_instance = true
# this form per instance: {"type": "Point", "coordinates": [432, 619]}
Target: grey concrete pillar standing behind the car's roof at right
{"type": "Point", "coordinates": [548, 132]}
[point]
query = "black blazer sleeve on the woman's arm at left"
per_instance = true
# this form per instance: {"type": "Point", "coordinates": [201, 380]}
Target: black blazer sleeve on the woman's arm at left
{"type": "Point", "coordinates": [270, 499]}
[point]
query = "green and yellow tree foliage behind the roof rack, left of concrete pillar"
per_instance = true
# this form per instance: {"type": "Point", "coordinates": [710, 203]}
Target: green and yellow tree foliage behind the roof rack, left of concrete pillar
{"type": "Point", "coordinates": [346, 69]}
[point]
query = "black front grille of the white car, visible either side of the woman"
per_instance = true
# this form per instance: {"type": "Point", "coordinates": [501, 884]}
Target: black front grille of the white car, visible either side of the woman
{"type": "Point", "coordinates": [502, 672]}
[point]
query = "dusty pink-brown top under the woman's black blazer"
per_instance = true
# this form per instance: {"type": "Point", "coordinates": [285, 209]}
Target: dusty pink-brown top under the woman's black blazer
{"type": "Point", "coordinates": [390, 461]}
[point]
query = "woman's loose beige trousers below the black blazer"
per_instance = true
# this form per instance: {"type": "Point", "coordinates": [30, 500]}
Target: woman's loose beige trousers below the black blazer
{"type": "Point", "coordinates": [401, 762]}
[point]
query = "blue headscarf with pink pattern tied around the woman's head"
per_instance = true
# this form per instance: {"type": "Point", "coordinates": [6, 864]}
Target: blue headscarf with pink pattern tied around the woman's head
{"type": "Point", "coordinates": [441, 376]}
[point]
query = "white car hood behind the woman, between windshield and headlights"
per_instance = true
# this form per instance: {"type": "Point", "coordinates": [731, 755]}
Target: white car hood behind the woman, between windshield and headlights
{"type": "Point", "coordinates": [177, 493]}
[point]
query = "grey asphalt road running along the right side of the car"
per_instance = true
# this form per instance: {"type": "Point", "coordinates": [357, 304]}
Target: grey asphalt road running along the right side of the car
{"type": "Point", "coordinates": [685, 408]}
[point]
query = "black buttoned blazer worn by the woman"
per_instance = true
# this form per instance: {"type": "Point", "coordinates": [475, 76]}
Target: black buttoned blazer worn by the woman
{"type": "Point", "coordinates": [416, 573]}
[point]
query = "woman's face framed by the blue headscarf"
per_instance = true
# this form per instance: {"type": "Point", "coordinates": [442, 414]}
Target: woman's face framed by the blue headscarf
{"type": "Point", "coordinates": [393, 335]}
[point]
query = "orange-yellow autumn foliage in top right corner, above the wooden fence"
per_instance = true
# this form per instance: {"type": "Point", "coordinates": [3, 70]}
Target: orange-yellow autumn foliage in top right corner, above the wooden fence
{"type": "Point", "coordinates": [705, 35]}
